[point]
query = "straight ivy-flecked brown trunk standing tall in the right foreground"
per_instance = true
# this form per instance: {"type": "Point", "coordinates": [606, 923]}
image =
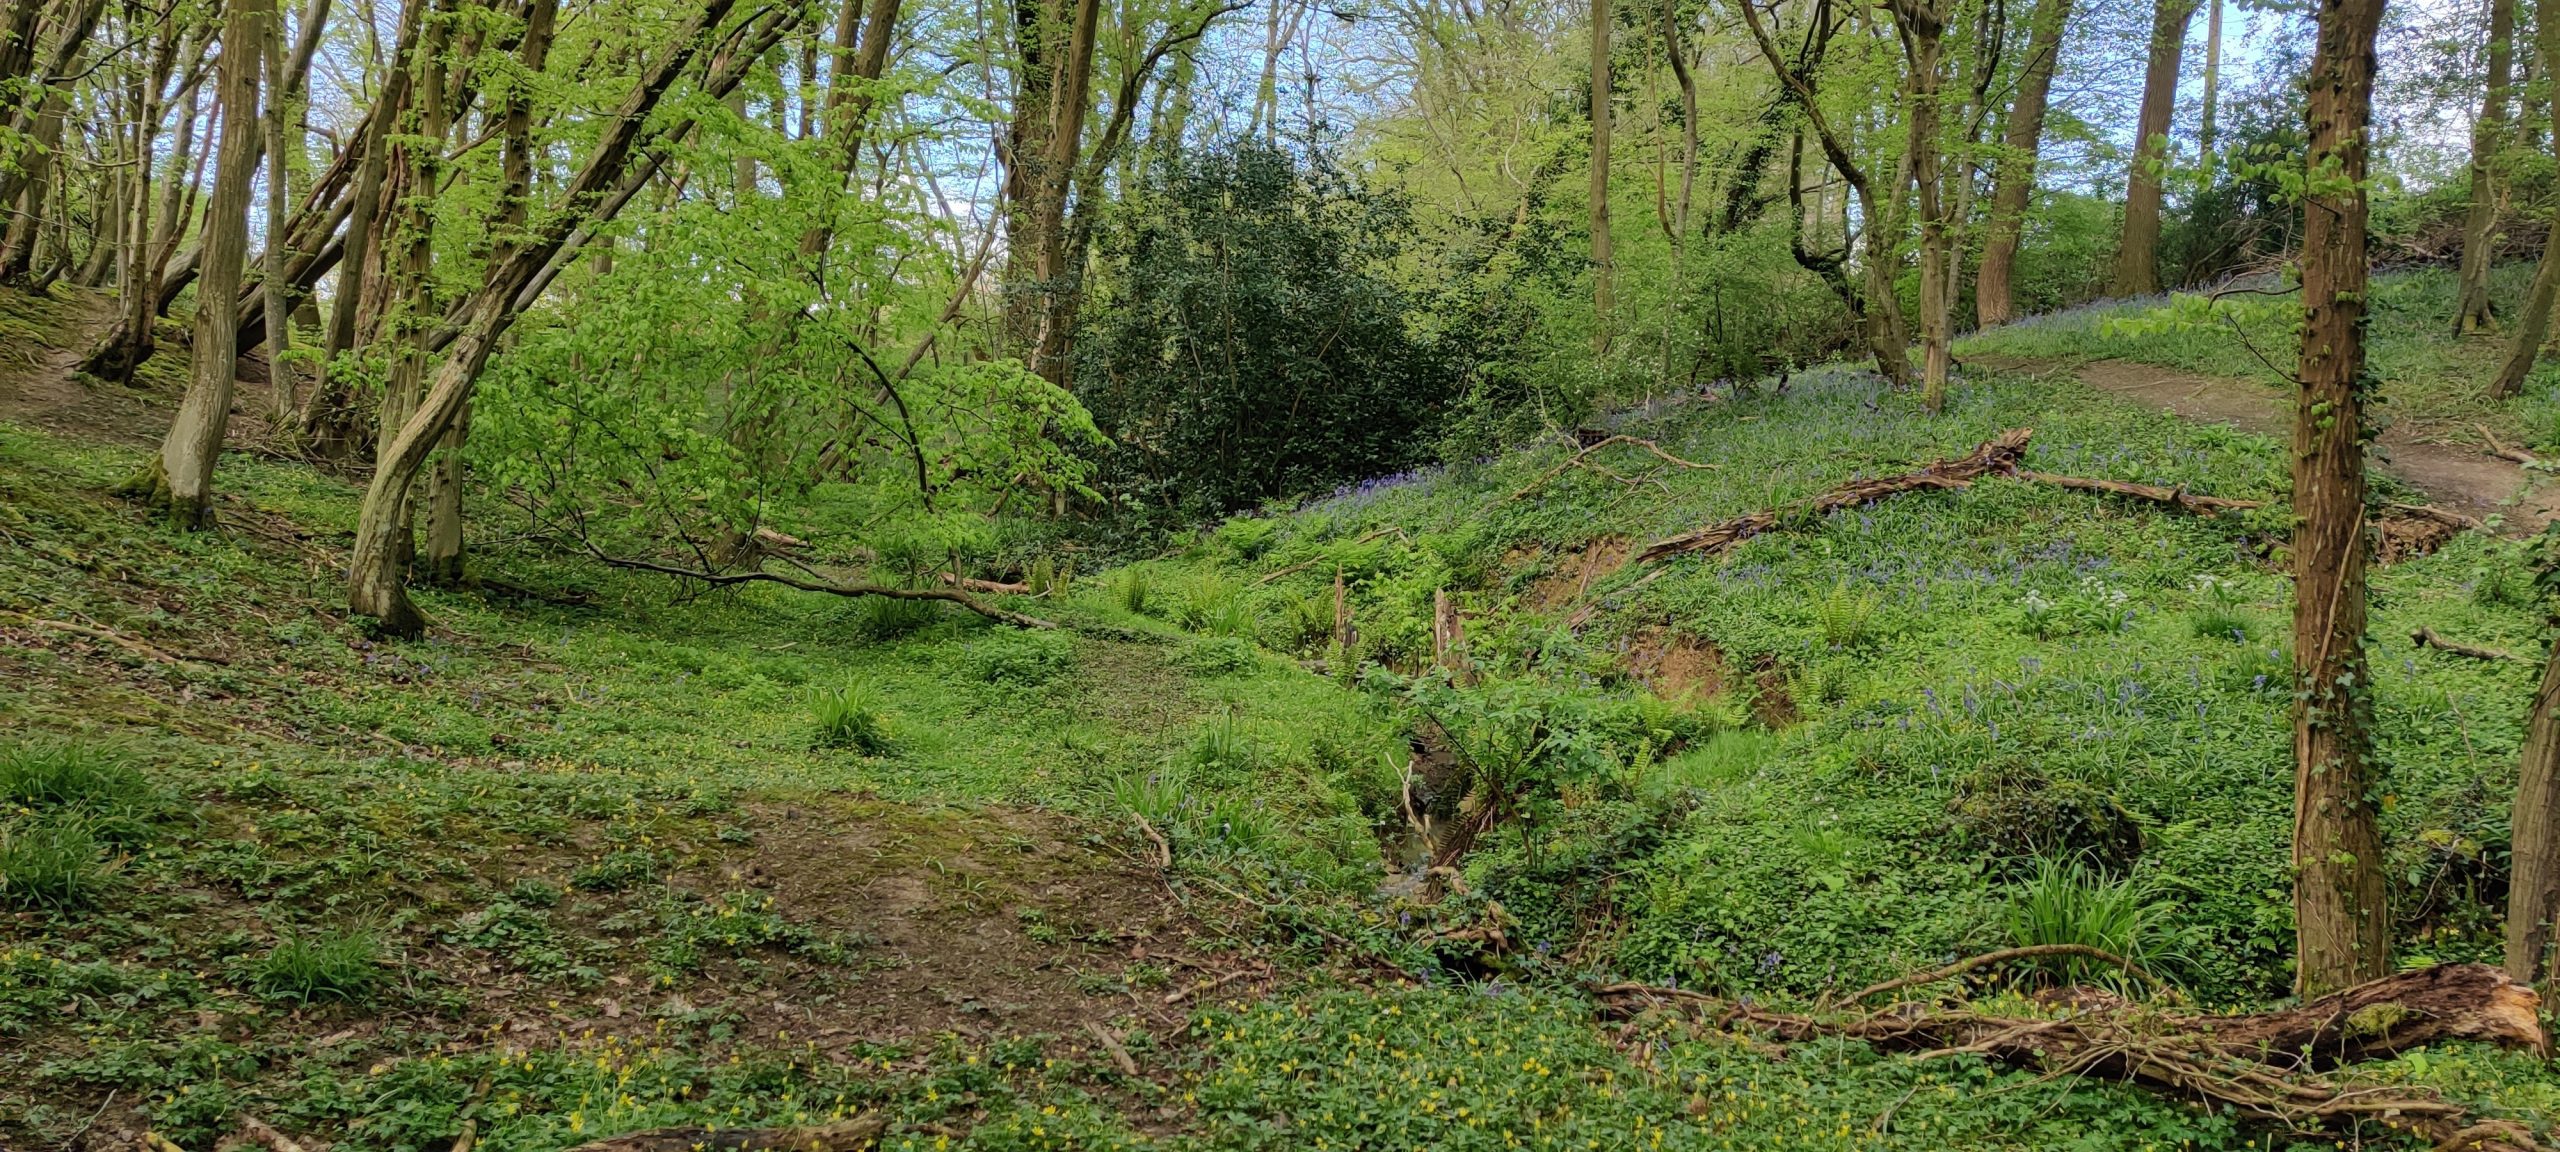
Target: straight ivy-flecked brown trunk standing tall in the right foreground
{"type": "Point", "coordinates": [2341, 905]}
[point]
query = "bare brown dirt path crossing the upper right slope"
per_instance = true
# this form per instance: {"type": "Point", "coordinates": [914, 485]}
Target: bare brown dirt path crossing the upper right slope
{"type": "Point", "coordinates": [2451, 477]}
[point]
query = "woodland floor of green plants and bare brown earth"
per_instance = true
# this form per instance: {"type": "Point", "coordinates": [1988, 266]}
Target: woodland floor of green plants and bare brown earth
{"type": "Point", "coordinates": [585, 861]}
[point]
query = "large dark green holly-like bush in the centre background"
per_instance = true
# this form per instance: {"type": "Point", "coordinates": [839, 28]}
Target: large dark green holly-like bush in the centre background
{"type": "Point", "coordinates": [1245, 337]}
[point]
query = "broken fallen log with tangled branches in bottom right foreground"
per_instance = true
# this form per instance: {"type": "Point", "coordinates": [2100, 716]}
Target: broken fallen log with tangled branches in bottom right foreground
{"type": "Point", "coordinates": [2272, 1066]}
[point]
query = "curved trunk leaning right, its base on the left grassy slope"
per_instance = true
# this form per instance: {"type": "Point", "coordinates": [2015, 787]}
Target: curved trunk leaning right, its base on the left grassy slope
{"type": "Point", "coordinates": [375, 575]}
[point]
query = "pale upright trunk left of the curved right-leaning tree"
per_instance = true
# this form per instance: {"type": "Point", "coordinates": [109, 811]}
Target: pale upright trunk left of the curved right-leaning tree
{"type": "Point", "coordinates": [180, 477]}
